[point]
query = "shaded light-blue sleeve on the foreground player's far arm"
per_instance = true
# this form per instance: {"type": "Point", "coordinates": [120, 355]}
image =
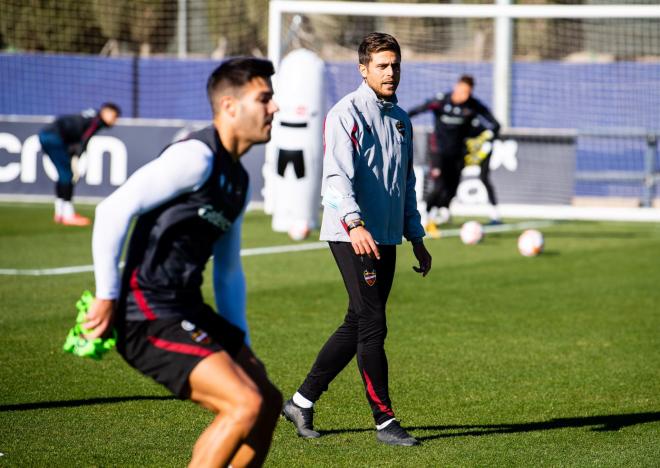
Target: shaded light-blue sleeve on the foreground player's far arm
{"type": "Point", "coordinates": [229, 280]}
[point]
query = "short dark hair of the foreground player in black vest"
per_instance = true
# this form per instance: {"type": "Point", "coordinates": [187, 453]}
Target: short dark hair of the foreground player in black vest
{"type": "Point", "coordinates": [236, 73]}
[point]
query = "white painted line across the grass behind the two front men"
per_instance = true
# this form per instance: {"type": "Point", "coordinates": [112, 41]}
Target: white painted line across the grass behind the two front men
{"type": "Point", "coordinates": [272, 250]}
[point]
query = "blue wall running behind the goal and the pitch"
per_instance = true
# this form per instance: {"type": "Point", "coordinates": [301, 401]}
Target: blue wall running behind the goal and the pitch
{"type": "Point", "coordinates": [544, 95]}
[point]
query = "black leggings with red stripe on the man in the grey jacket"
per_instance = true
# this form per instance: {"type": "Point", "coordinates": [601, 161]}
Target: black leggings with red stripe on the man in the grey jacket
{"type": "Point", "coordinates": [368, 283]}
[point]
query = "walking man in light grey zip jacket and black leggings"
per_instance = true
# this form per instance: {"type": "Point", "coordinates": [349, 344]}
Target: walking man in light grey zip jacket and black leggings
{"type": "Point", "coordinates": [369, 205]}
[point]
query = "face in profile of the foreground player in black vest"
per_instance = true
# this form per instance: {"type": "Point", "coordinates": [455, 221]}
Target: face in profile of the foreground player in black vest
{"type": "Point", "coordinates": [255, 108]}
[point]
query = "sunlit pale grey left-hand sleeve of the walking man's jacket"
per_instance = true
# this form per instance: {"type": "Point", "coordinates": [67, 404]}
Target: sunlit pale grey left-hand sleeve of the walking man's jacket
{"type": "Point", "coordinates": [341, 146]}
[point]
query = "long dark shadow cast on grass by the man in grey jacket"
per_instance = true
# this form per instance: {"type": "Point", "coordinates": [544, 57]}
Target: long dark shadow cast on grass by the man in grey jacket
{"type": "Point", "coordinates": [599, 423]}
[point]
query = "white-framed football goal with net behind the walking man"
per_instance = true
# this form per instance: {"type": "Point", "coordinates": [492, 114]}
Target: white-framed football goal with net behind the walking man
{"type": "Point", "coordinates": [576, 87]}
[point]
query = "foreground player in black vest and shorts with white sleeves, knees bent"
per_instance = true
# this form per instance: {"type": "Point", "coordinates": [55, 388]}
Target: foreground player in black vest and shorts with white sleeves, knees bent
{"type": "Point", "coordinates": [189, 203]}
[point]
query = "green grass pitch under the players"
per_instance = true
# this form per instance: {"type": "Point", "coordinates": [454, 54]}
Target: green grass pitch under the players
{"type": "Point", "coordinates": [495, 359]}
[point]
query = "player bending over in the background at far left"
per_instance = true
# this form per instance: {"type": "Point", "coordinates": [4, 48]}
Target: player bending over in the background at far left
{"type": "Point", "coordinates": [64, 140]}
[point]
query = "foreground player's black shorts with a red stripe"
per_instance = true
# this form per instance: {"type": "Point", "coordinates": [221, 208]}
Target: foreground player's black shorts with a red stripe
{"type": "Point", "coordinates": [168, 349]}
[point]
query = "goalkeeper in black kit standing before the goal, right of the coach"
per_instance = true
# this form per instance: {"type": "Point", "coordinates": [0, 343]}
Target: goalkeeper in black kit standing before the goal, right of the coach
{"type": "Point", "coordinates": [457, 115]}
